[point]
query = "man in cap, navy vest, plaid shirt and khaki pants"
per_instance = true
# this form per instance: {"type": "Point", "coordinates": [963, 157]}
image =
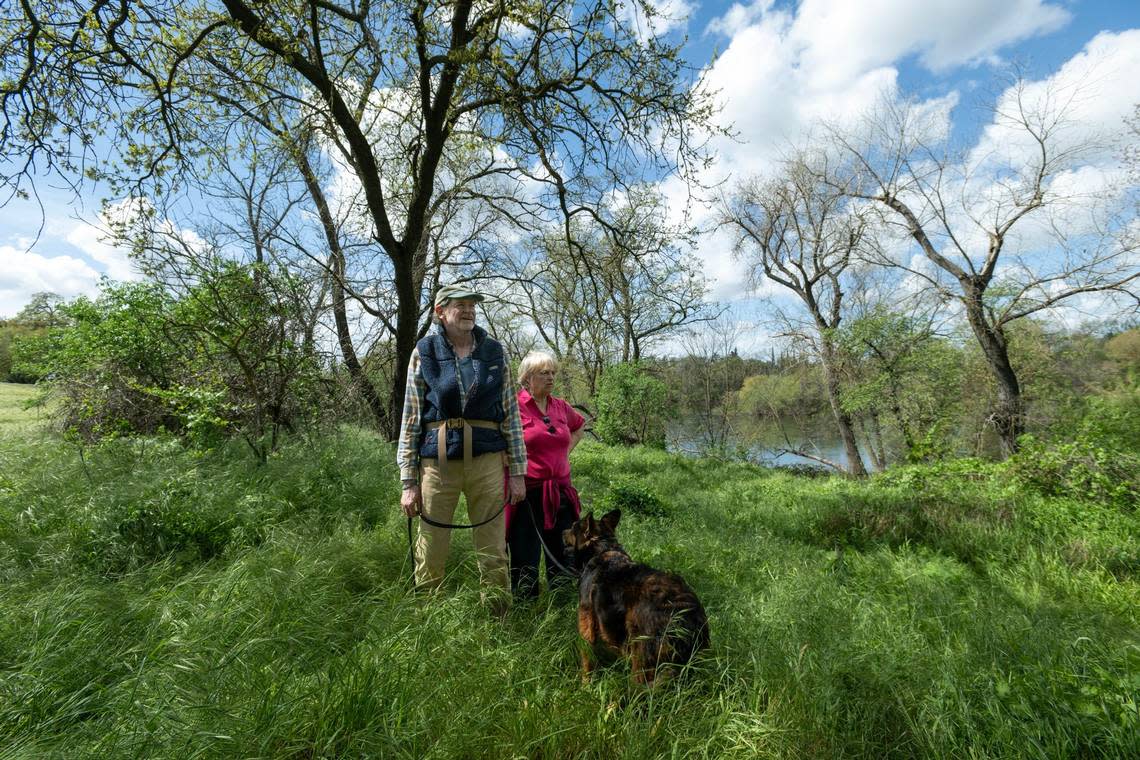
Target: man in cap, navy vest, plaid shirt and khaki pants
{"type": "Point", "coordinates": [460, 394]}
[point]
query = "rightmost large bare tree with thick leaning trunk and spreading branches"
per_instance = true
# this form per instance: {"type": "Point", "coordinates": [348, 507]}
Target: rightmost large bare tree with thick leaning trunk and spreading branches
{"type": "Point", "coordinates": [1003, 235]}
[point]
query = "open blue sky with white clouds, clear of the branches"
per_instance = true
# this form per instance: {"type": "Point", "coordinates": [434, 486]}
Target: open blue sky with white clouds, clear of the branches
{"type": "Point", "coordinates": [778, 67]}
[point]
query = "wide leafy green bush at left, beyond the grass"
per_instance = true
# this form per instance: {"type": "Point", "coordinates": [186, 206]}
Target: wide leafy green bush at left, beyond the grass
{"type": "Point", "coordinates": [226, 358]}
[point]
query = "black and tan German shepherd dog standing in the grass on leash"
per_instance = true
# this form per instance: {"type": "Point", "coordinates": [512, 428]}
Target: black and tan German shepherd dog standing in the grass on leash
{"type": "Point", "coordinates": [630, 609]}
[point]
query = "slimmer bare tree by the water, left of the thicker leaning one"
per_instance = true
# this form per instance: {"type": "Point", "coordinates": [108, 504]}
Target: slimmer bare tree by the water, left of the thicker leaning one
{"type": "Point", "coordinates": [803, 235]}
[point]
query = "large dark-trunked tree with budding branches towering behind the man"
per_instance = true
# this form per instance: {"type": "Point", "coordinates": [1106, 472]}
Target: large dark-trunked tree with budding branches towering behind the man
{"type": "Point", "coordinates": [534, 110]}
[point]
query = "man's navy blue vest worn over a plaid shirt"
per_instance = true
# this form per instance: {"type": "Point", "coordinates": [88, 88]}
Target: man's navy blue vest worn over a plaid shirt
{"type": "Point", "coordinates": [443, 402]}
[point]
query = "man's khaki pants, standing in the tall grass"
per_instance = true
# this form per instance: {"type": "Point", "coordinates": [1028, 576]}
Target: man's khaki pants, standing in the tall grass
{"type": "Point", "coordinates": [483, 485]}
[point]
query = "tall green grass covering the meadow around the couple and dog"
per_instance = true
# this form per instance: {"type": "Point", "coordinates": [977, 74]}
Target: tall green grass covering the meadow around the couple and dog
{"type": "Point", "coordinates": [161, 602]}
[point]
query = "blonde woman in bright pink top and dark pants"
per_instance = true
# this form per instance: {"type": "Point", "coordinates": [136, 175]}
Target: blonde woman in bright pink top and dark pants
{"type": "Point", "coordinates": [551, 429]}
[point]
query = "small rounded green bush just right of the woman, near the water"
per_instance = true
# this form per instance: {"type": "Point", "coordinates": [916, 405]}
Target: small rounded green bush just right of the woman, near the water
{"type": "Point", "coordinates": [632, 407]}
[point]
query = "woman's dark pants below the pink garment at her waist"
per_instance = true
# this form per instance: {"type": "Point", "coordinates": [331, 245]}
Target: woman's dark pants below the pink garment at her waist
{"type": "Point", "coordinates": [525, 549]}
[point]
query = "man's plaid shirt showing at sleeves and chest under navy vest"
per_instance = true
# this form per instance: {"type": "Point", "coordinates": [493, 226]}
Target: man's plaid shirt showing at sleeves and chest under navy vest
{"type": "Point", "coordinates": [408, 453]}
